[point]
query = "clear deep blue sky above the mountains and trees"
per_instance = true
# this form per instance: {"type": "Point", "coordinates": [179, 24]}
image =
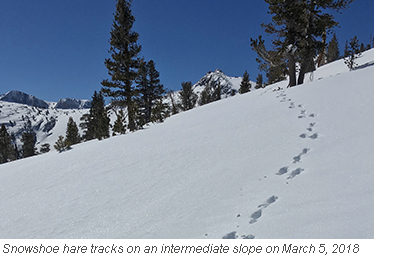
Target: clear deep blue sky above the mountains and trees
{"type": "Point", "coordinates": [55, 48]}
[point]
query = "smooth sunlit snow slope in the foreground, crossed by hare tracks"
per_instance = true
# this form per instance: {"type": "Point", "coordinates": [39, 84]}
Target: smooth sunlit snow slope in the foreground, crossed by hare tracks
{"type": "Point", "coordinates": [293, 163]}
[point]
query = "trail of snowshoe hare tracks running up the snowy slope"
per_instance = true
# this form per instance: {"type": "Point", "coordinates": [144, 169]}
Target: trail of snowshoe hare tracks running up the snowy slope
{"type": "Point", "coordinates": [285, 170]}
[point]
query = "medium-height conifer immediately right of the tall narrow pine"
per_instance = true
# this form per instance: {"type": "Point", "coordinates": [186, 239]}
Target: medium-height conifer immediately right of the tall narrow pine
{"type": "Point", "coordinates": [149, 87]}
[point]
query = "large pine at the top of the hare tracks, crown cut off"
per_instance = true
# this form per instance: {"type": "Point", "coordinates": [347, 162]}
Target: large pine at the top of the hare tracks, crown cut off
{"type": "Point", "coordinates": [298, 27]}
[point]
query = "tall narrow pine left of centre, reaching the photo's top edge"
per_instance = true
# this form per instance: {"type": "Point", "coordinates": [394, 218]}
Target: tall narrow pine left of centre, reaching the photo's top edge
{"type": "Point", "coordinates": [124, 62]}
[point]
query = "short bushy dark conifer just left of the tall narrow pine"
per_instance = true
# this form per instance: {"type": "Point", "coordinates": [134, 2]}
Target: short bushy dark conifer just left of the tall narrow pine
{"type": "Point", "coordinates": [96, 124]}
